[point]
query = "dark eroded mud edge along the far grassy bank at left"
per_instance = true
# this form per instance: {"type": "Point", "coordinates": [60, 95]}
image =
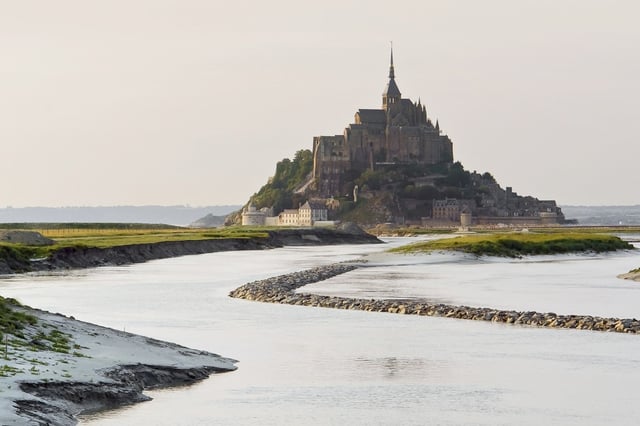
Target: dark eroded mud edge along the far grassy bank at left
{"type": "Point", "coordinates": [78, 256]}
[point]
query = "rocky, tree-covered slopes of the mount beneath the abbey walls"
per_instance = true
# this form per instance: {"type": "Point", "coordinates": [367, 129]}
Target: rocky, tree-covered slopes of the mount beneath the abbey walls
{"type": "Point", "coordinates": [399, 193]}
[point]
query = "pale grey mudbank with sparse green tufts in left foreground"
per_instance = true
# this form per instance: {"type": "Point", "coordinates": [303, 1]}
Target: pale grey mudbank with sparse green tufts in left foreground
{"type": "Point", "coordinates": [63, 367]}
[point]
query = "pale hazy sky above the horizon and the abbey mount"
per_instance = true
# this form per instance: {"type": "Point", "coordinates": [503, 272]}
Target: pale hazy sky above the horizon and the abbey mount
{"type": "Point", "coordinates": [193, 102]}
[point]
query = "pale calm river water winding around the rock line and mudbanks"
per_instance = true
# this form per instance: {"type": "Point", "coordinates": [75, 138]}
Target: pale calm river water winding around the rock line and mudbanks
{"type": "Point", "coordinates": [314, 366]}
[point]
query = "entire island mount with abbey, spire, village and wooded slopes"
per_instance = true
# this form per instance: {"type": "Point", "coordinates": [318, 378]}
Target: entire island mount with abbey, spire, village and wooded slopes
{"type": "Point", "coordinates": [391, 165]}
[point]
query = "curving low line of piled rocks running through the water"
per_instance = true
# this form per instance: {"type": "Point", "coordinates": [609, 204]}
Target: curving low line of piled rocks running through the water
{"type": "Point", "coordinates": [281, 289]}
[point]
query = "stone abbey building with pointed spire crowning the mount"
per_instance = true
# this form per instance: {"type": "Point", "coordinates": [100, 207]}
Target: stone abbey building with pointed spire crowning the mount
{"type": "Point", "coordinates": [398, 133]}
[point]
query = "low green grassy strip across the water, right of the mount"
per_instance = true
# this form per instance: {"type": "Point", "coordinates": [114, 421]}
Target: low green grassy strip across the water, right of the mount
{"type": "Point", "coordinates": [521, 244]}
